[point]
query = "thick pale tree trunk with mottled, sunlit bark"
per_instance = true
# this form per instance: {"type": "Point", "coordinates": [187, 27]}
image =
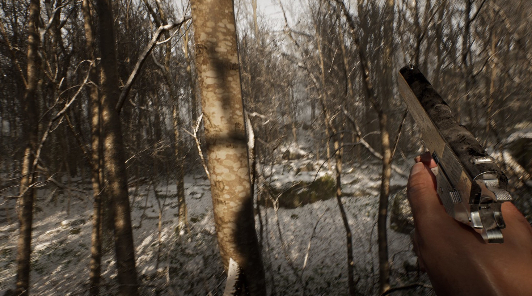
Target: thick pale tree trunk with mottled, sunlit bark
{"type": "Point", "coordinates": [219, 83]}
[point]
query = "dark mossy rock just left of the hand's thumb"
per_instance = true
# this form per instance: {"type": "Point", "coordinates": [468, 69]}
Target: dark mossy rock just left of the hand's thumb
{"type": "Point", "coordinates": [401, 219]}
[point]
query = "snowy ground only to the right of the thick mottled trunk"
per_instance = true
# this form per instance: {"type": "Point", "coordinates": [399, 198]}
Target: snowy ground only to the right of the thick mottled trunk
{"type": "Point", "coordinates": [310, 258]}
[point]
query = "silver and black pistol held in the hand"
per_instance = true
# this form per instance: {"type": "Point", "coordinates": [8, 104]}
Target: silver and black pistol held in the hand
{"type": "Point", "coordinates": [469, 183]}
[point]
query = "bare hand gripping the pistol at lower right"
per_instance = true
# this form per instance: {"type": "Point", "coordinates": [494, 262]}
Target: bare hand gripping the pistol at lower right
{"type": "Point", "coordinates": [456, 258]}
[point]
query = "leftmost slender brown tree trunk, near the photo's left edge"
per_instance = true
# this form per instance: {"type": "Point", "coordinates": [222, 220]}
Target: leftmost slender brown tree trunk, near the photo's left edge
{"type": "Point", "coordinates": [31, 132]}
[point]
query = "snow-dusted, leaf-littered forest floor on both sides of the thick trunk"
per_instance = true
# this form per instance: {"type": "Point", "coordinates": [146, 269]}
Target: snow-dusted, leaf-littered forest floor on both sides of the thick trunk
{"type": "Point", "coordinates": [304, 248]}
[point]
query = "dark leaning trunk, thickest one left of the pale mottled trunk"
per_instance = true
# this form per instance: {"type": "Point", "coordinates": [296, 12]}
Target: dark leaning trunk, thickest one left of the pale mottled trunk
{"type": "Point", "coordinates": [114, 157]}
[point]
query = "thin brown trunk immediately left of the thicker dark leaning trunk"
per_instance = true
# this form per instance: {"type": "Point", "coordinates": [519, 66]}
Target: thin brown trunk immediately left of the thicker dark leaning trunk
{"type": "Point", "coordinates": [96, 157]}
